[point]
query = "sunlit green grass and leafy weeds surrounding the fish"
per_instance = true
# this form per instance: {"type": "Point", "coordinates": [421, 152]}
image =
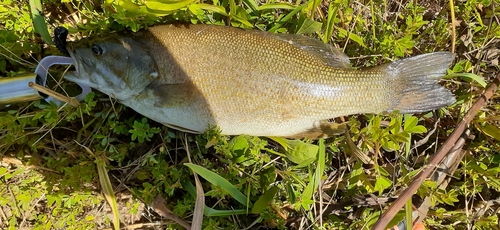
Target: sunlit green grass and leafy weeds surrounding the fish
{"type": "Point", "coordinates": [48, 180]}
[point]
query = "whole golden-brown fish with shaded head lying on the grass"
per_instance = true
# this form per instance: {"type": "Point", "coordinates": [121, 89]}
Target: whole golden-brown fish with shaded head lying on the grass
{"type": "Point", "coordinates": [191, 77]}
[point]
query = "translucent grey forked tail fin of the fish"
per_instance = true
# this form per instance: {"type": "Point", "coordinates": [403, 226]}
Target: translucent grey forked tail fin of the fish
{"type": "Point", "coordinates": [416, 80]}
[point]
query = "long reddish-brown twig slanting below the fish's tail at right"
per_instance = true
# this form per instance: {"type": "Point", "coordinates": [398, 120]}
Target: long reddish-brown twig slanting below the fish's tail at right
{"type": "Point", "coordinates": [436, 159]}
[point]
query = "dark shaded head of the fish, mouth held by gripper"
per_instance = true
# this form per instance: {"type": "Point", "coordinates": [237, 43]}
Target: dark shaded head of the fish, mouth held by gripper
{"type": "Point", "coordinates": [116, 65]}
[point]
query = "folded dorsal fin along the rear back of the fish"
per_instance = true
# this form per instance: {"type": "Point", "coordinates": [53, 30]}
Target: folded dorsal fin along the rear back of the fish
{"type": "Point", "coordinates": [328, 54]}
